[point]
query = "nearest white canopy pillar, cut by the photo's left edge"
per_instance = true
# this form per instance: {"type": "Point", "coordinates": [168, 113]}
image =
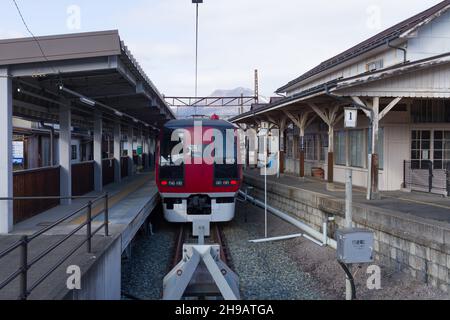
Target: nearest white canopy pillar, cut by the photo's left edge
{"type": "Point", "coordinates": [6, 175]}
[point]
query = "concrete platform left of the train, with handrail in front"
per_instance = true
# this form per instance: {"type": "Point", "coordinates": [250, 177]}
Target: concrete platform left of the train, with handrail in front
{"type": "Point", "coordinates": [130, 204]}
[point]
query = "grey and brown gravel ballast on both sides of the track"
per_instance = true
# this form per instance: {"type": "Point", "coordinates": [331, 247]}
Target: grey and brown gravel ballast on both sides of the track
{"type": "Point", "coordinates": [295, 269]}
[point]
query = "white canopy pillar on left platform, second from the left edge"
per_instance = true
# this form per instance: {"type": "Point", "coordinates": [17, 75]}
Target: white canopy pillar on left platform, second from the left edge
{"type": "Point", "coordinates": [65, 153]}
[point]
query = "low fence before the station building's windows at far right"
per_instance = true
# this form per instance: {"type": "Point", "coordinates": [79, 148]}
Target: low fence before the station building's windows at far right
{"type": "Point", "coordinates": [421, 176]}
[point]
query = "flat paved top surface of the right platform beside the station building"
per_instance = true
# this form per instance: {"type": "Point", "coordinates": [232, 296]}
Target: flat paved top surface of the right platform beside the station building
{"type": "Point", "coordinates": [417, 204]}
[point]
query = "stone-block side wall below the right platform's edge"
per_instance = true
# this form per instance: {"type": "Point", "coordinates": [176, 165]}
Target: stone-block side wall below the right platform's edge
{"type": "Point", "coordinates": [410, 244]}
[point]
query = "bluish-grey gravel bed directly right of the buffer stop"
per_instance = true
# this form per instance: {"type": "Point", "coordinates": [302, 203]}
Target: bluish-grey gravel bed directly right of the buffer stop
{"type": "Point", "coordinates": [266, 271]}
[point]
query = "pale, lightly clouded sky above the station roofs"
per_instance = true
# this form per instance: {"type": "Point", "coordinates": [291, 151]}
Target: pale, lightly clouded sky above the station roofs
{"type": "Point", "coordinates": [282, 39]}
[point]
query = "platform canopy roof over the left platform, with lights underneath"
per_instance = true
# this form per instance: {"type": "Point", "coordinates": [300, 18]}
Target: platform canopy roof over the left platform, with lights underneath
{"type": "Point", "coordinates": [94, 71]}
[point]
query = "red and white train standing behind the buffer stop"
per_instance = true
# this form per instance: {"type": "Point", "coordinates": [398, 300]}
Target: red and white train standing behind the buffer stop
{"type": "Point", "coordinates": [191, 182]}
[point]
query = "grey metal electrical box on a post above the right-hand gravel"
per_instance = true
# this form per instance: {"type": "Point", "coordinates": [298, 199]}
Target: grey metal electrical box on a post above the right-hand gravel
{"type": "Point", "coordinates": [354, 246]}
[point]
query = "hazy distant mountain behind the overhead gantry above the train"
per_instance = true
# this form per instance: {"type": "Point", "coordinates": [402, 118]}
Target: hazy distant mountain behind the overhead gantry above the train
{"type": "Point", "coordinates": [224, 112]}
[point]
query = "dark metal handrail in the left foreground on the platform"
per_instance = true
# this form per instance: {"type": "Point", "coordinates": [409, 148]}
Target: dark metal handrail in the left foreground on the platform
{"type": "Point", "coordinates": [24, 242]}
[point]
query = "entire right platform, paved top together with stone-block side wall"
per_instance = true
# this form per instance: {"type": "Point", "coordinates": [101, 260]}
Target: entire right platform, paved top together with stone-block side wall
{"type": "Point", "coordinates": [411, 229]}
